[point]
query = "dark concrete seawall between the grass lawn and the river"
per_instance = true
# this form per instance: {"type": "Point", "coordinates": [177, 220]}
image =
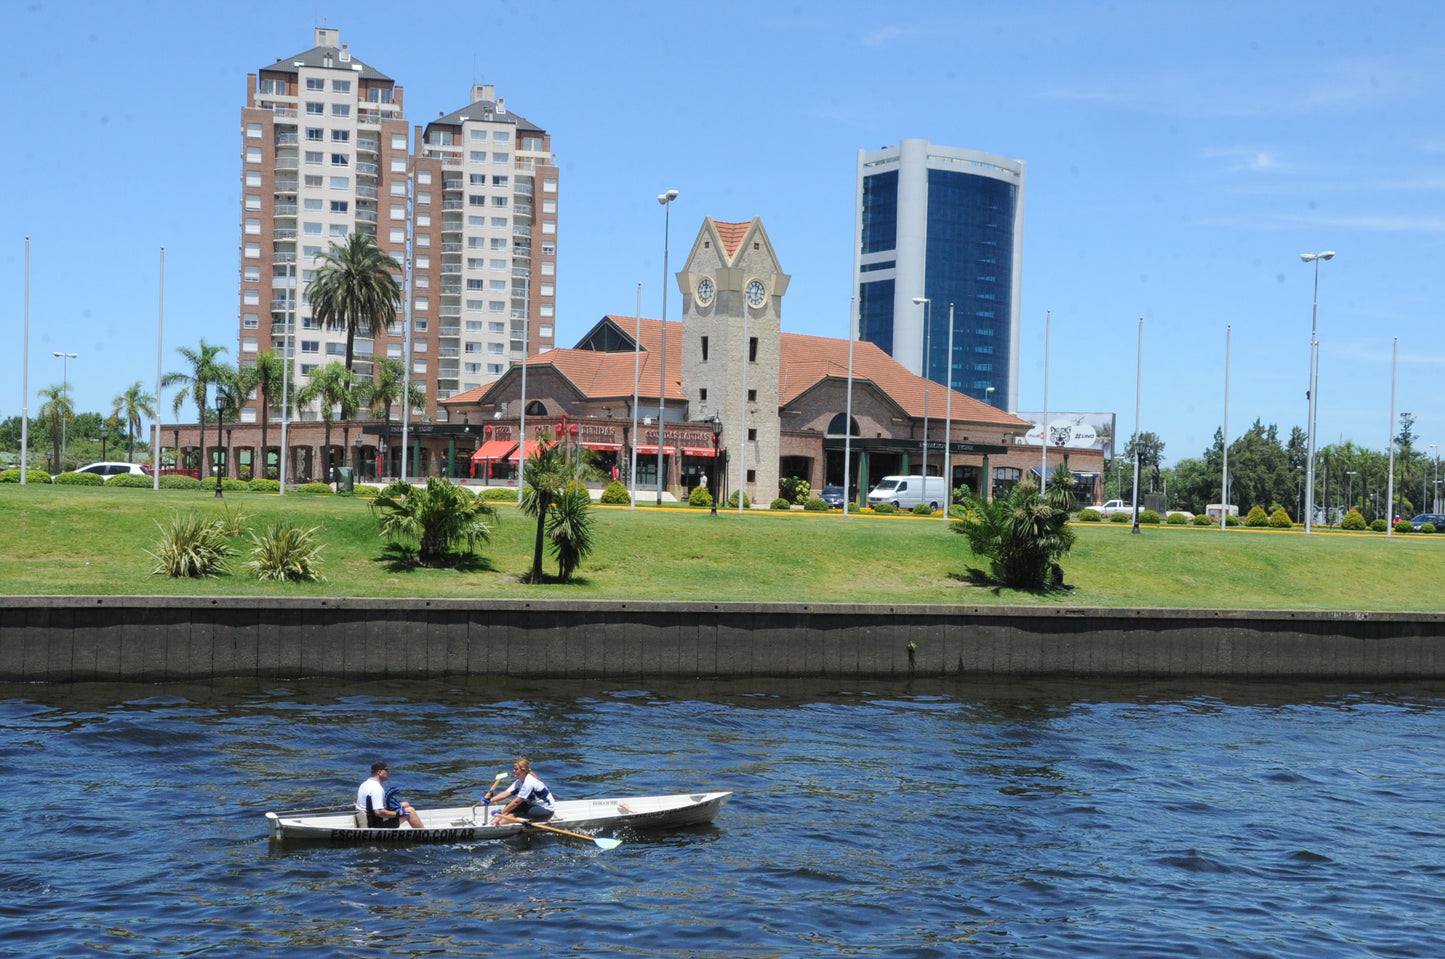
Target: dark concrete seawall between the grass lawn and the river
{"type": "Point", "coordinates": [161, 639]}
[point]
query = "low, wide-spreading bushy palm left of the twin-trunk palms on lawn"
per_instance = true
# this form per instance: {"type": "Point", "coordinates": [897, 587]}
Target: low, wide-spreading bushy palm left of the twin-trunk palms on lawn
{"type": "Point", "coordinates": [439, 516]}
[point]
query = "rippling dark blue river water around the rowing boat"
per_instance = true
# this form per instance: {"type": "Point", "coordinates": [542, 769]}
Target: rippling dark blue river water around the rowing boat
{"type": "Point", "coordinates": [869, 821]}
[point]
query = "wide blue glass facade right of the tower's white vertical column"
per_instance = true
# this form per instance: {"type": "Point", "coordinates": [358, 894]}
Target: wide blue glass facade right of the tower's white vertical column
{"type": "Point", "coordinates": [970, 265]}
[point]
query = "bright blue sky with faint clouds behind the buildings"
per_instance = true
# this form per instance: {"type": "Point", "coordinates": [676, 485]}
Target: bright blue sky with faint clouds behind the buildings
{"type": "Point", "coordinates": [1181, 158]}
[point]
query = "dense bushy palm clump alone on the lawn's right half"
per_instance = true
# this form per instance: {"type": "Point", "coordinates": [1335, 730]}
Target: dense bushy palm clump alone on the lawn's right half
{"type": "Point", "coordinates": [1022, 535]}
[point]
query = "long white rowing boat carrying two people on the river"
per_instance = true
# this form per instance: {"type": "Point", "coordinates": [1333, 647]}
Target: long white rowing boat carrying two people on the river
{"type": "Point", "coordinates": [465, 824]}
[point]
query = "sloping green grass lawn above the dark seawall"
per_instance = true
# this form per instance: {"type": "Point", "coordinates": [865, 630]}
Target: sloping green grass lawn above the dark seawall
{"type": "Point", "coordinates": [89, 541]}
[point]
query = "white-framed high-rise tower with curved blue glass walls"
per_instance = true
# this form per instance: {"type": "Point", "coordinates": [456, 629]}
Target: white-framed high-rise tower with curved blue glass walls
{"type": "Point", "coordinates": [947, 226]}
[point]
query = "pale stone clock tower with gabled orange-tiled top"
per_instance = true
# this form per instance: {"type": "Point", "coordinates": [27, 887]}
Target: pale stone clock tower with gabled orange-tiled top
{"type": "Point", "coordinates": [732, 344]}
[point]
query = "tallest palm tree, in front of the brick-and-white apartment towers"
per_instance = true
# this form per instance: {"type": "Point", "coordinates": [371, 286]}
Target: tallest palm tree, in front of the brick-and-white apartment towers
{"type": "Point", "coordinates": [356, 288]}
